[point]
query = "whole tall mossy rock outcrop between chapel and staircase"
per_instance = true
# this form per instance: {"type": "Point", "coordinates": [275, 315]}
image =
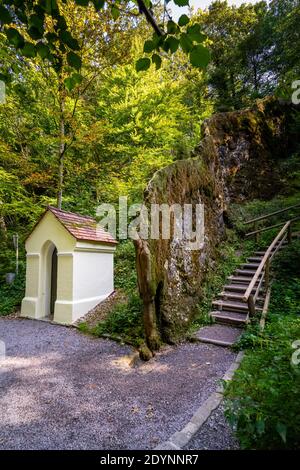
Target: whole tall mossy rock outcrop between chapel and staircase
{"type": "Point", "coordinates": [234, 162]}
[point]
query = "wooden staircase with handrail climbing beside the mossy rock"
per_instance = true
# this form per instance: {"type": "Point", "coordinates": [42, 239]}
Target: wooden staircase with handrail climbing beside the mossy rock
{"type": "Point", "coordinates": [245, 294]}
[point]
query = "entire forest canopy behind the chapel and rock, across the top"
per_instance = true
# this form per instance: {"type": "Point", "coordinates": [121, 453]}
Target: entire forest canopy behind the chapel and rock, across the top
{"type": "Point", "coordinates": [82, 123]}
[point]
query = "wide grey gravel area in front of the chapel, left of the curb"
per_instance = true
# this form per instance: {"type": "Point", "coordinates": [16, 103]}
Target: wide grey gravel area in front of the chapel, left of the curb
{"type": "Point", "coordinates": [60, 389]}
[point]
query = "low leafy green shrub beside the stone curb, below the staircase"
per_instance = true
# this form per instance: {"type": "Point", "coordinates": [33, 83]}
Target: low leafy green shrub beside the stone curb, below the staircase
{"type": "Point", "coordinates": [263, 400]}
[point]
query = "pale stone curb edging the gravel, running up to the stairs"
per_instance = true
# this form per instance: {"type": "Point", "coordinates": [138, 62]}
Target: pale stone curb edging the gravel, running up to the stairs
{"type": "Point", "coordinates": [180, 439]}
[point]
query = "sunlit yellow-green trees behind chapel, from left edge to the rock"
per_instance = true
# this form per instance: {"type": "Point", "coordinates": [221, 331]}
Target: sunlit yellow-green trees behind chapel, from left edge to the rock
{"type": "Point", "coordinates": [126, 127]}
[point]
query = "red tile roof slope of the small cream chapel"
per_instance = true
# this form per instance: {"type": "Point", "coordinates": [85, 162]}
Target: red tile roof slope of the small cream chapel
{"type": "Point", "coordinates": [82, 227]}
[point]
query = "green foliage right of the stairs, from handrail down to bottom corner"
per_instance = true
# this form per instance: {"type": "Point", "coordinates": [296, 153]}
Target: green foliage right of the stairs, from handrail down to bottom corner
{"type": "Point", "coordinates": [264, 397]}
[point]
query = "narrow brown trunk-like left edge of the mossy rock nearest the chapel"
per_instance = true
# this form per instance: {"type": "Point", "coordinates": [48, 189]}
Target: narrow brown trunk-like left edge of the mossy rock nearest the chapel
{"type": "Point", "coordinates": [147, 293]}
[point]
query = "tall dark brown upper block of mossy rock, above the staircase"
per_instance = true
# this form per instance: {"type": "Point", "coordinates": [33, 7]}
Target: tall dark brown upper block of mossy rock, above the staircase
{"type": "Point", "coordinates": [243, 148]}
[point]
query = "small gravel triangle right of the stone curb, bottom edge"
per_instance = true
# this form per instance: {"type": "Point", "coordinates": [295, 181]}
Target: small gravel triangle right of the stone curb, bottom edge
{"type": "Point", "coordinates": [215, 434]}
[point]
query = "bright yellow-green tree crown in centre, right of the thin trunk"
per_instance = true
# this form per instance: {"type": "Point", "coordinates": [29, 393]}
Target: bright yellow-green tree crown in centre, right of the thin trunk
{"type": "Point", "coordinates": [140, 121]}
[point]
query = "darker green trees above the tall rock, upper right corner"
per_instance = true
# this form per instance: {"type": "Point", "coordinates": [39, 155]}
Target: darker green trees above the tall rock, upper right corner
{"type": "Point", "coordinates": [254, 50]}
